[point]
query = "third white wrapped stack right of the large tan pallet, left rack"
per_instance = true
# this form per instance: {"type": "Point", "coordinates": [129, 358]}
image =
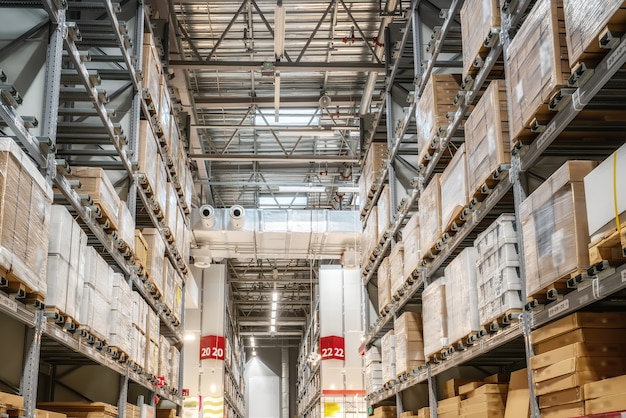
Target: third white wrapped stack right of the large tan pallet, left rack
{"type": "Point", "coordinates": [120, 316]}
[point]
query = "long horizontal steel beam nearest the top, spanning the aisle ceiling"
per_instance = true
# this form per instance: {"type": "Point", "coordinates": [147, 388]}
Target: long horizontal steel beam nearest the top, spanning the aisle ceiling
{"type": "Point", "coordinates": [278, 66]}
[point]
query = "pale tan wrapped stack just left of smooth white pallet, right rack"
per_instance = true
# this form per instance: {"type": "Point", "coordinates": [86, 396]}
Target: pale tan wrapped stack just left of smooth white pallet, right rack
{"type": "Point", "coordinates": [430, 216]}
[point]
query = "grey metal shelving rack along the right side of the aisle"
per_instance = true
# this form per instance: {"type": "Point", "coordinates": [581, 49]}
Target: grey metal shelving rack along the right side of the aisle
{"type": "Point", "coordinates": [601, 282]}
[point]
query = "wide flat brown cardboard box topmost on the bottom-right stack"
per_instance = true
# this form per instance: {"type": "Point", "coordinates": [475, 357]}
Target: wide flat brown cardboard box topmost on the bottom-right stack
{"type": "Point", "coordinates": [578, 320]}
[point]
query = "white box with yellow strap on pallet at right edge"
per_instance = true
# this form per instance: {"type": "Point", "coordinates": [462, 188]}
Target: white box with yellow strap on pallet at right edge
{"type": "Point", "coordinates": [605, 191]}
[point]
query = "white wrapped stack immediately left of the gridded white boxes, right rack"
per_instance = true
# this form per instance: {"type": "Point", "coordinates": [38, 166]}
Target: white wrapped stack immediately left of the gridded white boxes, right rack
{"type": "Point", "coordinates": [462, 303]}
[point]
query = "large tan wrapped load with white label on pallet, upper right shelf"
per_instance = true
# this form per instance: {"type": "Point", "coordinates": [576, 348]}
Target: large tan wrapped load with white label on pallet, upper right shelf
{"type": "Point", "coordinates": [536, 67]}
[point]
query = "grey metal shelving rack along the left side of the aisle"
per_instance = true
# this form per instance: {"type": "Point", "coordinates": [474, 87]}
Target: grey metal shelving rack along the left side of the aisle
{"type": "Point", "coordinates": [121, 44]}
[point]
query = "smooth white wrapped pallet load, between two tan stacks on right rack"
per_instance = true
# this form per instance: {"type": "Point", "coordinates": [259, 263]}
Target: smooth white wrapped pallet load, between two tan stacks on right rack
{"type": "Point", "coordinates": [453, 183]}
